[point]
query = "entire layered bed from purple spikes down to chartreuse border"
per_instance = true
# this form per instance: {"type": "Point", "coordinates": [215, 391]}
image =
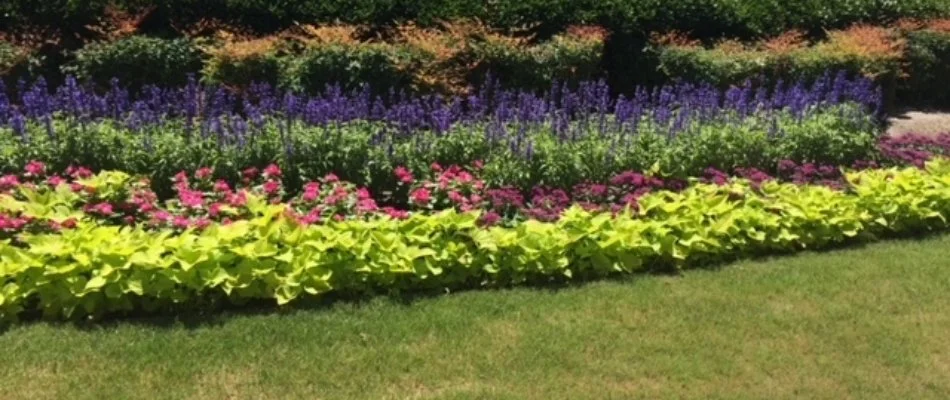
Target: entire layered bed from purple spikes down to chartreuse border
{"type": "Point", "coordinates": [498, 188]}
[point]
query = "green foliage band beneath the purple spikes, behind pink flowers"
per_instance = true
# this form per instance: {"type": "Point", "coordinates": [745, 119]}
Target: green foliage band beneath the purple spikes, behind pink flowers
{"type": "Point", "coordinates": [366, 153]}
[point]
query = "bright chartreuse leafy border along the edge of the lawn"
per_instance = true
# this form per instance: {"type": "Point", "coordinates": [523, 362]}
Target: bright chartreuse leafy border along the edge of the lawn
{"type": "Point", "coordinates": [96, 269]}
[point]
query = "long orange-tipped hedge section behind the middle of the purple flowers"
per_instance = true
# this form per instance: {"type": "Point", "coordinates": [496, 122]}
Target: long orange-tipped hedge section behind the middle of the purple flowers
{"type": "Point", "coordinates": [450, 61]}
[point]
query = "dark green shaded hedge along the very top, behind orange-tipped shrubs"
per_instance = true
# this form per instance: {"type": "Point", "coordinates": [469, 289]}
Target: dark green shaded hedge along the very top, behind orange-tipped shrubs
{"type": "Point", "coordinates": [741, 18]}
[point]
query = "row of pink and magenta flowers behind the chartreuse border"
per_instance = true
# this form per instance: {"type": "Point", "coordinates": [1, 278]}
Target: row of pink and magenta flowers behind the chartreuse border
{"type": "Point", "coordinates": [35, 201]}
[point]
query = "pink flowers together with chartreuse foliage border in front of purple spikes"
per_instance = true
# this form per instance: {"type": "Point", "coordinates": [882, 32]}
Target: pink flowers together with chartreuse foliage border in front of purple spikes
{"type": "Point", "coordinates": [86, 262]}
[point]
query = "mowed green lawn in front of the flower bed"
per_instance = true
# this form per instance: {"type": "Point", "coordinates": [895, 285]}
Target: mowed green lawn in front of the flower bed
{"type": "Point", "coordinates": [865, 323]}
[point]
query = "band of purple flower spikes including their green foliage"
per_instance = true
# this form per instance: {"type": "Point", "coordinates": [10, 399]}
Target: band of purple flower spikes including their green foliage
{"type": "Point", "coordinates": [559, 140]}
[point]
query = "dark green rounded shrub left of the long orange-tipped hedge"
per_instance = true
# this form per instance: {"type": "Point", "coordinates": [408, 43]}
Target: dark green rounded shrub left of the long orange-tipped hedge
{"type": "Point", "coordinates": [137, 61]}
